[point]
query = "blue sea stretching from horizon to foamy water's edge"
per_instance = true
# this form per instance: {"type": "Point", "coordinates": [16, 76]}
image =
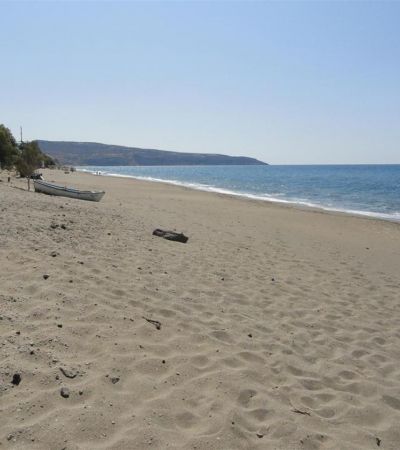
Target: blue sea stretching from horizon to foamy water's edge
{"type": "Point", "coordinates": [371, 190]}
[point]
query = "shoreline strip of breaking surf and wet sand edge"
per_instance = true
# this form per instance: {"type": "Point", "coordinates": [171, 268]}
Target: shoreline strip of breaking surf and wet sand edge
{"type": "Point", "coordinates": [252, 197]}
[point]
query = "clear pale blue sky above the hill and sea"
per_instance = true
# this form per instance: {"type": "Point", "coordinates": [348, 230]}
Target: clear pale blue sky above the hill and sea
{"type": "Point", "coordinates": [286, 82]}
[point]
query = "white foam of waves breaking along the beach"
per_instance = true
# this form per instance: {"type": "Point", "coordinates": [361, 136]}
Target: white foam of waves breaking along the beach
{"type": "Point", "coordinates": [393, 217]}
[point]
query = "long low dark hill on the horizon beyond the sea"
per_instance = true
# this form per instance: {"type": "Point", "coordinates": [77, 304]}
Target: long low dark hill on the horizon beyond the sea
{"type": "Point", "coordinates": [94, 154]}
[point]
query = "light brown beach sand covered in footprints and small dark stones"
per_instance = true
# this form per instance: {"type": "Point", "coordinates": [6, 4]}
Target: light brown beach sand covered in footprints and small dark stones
{"type": "Point", "coordinates": [279, 326]}
